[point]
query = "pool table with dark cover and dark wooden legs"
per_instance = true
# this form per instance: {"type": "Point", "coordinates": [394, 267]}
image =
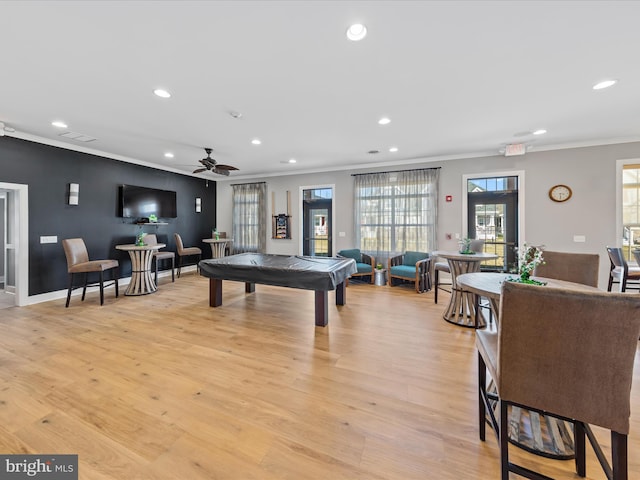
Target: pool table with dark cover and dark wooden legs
{"type": "Point", "coordinates": [320, 274]}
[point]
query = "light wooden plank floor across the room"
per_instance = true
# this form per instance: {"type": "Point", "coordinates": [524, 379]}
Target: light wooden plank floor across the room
{"type": "Point", "coordinates": [164, 387]}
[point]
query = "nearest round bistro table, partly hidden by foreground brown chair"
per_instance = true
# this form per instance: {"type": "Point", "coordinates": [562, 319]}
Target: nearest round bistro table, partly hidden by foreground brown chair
{"type": "Point", "coordinates": [544, 435]}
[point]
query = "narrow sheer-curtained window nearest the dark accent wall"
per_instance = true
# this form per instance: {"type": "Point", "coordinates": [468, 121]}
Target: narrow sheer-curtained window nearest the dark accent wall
{"type": "Point", "coordinates": [249, 217]}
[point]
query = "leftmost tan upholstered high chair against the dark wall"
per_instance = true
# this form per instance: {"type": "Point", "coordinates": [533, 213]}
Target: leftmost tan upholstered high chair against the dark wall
{"type": "Point", "coordinates": [78, 262]}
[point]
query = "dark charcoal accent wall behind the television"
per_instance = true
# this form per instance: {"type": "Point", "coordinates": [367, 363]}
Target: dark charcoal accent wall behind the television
{"type": "Point", "coordinates": [48, 171]}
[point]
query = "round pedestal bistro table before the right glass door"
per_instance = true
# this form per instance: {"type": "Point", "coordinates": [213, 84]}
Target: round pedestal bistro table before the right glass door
{"type": "Point", "coordinates": [460, 310]}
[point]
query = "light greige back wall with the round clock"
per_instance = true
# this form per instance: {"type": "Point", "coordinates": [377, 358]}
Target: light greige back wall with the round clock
{"type": "Point", "coordinates": [589, 171]}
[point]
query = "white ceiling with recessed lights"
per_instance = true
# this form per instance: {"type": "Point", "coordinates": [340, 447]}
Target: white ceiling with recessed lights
{"type": "Point", "coordinates": [457, 79]}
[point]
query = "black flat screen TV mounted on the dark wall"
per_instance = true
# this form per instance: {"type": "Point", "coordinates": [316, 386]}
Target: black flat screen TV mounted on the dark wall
{"type": "Point", "coordinates": [141, 202]}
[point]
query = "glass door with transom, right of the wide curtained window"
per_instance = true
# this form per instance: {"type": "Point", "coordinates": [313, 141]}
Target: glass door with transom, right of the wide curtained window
{"type": "Point", "coordinates": [493, 215]}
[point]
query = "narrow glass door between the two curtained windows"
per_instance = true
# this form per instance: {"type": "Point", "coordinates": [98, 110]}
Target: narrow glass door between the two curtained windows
{"type": "Point", "coordinates": [317, 221]}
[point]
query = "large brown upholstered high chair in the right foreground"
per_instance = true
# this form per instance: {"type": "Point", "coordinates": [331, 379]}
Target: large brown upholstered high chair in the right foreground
{"type": "Point", "coordinates": [561, 352]}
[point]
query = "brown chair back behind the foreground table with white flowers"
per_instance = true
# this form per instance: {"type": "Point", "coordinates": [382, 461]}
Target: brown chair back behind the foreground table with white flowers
{"type": "Point", "coordinates": [571, 267]}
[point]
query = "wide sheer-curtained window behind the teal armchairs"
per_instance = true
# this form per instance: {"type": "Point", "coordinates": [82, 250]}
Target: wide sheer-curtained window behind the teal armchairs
{"type": "Point", "coordinates": [396, 212]}
